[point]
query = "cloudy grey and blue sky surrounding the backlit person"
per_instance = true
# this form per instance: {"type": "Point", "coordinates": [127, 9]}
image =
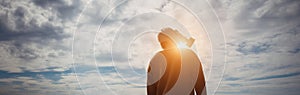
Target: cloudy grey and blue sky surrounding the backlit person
{"type": "Point", "coordinates": [92, 47]}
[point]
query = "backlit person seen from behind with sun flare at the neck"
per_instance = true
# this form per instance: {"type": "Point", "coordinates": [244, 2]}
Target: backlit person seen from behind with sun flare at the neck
{"type": "Point", "coordinates": [175, 70]}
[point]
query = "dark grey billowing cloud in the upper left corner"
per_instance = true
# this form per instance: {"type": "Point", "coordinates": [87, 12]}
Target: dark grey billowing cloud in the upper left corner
{"type": "Point", "coordinates": [20, 24]}
